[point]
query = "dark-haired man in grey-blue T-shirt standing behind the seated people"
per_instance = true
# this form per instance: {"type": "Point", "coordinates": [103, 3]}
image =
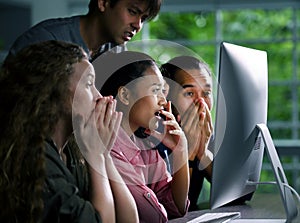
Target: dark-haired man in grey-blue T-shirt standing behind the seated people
{"type": "Point", "coordinates": [108, 23]}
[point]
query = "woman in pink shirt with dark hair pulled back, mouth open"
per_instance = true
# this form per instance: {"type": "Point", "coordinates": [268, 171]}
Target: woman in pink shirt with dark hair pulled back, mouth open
{"type": "Point", "coordinates": [137, 84]}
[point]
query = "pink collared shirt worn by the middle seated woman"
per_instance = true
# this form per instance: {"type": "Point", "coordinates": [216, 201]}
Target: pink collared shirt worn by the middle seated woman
{"type": "Point", "coordinates": [146, 175]}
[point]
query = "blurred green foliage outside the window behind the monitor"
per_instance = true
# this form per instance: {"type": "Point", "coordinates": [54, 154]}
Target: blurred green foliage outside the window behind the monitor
{"type": "Point", "coordinates": [270, 30]}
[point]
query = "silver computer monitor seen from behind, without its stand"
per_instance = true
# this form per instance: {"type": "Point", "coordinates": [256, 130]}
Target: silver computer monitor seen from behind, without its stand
{"type": "Point", "coordinates": [242, 97]}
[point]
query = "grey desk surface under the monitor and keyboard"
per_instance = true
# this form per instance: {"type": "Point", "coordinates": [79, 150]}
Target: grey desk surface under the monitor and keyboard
{"type": "Point", "coordinates": [266, 206]}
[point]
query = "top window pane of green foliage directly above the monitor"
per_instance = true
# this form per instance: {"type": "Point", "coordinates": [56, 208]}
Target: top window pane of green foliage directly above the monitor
{"type": "Point", "coordinates": [257, 24]}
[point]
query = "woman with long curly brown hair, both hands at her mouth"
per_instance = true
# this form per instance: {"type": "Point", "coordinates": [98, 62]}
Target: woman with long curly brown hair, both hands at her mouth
{"type": "Point", "coordinates": [43, 178]}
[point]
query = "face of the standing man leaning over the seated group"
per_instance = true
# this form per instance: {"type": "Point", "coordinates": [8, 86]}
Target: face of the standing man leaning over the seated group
{"type": "Point", "coordinates": [124, 20]}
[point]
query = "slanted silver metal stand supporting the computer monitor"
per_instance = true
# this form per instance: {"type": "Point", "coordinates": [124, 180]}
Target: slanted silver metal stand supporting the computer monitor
{"type": "Point", "coordinates": [281, 180]}
